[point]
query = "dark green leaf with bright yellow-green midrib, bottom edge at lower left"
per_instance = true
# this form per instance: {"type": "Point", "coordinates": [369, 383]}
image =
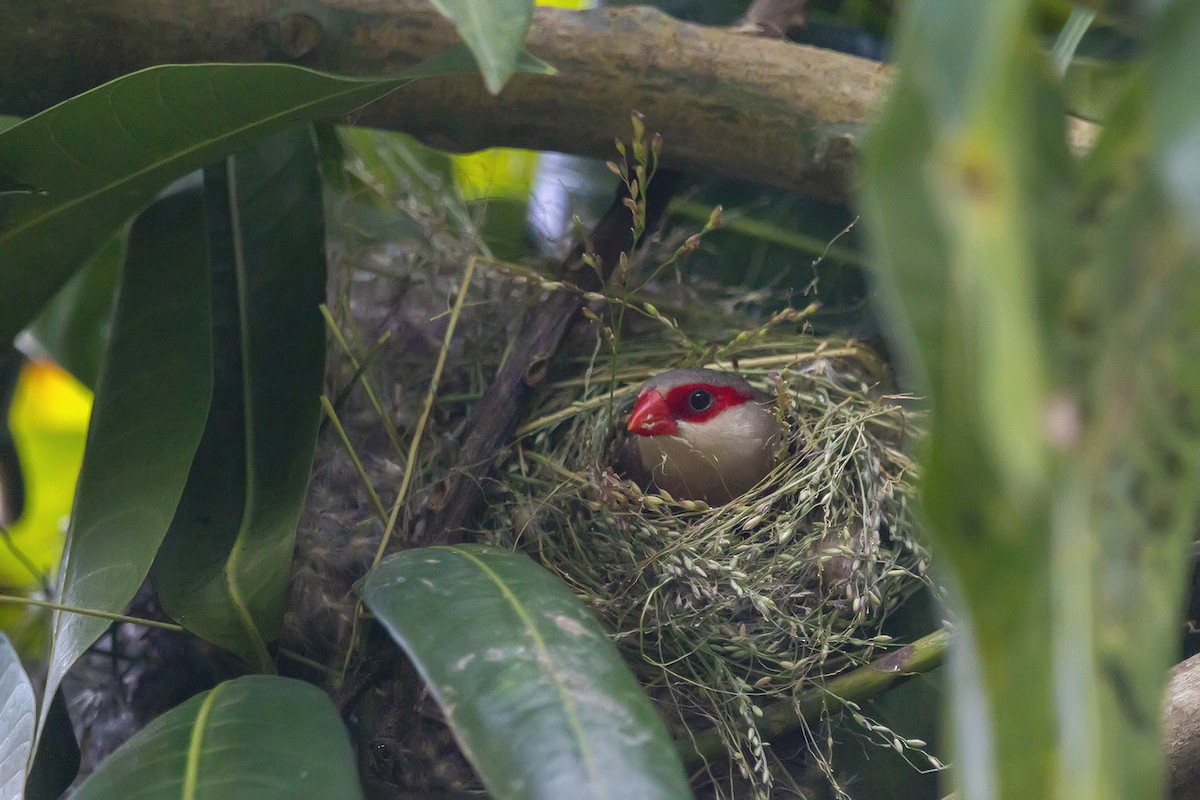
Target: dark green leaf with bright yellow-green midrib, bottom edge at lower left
{"type": "Point", "coordinates": [254, 738]}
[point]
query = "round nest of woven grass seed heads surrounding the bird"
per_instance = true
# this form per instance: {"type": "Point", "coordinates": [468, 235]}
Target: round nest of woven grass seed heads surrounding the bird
{"type": "Point", "coordinates": [721, 610]}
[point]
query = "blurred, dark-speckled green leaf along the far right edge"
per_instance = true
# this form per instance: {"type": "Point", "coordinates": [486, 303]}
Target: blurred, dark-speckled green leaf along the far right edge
{"type": "Point", "coordinates": [1130, 509]}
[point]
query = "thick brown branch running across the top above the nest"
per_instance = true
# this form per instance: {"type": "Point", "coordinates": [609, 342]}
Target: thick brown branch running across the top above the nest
{"type": "Point", "coordinates": [725, 103]}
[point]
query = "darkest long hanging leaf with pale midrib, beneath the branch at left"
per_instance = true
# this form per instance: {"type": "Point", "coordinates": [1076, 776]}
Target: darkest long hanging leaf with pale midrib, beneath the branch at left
{"type": "Point", "coordinates": [224, 568]}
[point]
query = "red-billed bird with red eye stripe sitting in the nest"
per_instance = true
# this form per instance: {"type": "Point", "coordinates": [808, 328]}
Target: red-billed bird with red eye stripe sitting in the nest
{"type": "Point", "coordinates": [701, 435]}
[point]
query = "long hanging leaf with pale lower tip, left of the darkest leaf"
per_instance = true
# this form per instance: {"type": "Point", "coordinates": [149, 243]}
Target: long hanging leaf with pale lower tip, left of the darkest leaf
{"type": "Point", "coordinates": [149, 413]}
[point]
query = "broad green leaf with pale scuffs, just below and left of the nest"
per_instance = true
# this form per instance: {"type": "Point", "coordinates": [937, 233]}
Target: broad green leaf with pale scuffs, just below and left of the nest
{"type": "Point", "coordinates": [530, 683]}
